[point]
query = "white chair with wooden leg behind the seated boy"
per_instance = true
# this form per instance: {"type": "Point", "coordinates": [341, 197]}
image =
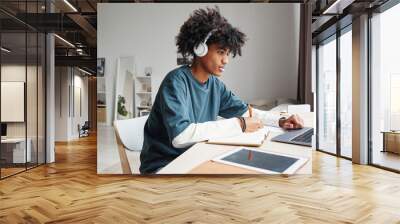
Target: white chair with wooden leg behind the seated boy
{"type": "Point", "coordinates": [129, 135]}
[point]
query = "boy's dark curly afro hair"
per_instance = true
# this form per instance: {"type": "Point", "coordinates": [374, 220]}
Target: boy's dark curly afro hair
{"type": "Point", "coordinates": [200, 23]}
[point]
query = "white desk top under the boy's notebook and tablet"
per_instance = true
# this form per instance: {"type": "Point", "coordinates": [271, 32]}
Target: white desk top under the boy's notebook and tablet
{"type": "Point", "coordinates": [196, 159]}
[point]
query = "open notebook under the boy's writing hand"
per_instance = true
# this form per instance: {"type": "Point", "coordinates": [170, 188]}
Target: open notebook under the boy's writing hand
{"type": "Point", "coordinates": [244, 139]}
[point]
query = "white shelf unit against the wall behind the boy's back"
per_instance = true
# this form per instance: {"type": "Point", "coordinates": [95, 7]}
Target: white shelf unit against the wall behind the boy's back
{"type": "Point", "coordinates": [143, 95]}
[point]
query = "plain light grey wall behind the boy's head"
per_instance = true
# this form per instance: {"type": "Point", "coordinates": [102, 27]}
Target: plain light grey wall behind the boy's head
{"type": "Point", "coordinates": [267, 68]}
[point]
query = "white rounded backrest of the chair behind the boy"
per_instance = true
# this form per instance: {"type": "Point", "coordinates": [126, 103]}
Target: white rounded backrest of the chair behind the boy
{"type": "Point", "coordinates": [130, 132]}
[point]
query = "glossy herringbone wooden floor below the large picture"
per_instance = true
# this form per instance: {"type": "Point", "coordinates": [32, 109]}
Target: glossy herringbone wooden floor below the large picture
{"type": "Point", "coordinates": [70, 191]}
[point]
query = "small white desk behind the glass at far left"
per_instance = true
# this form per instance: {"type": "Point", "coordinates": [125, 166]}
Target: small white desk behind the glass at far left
{"type": "Point", "coordinates": [18, 149]}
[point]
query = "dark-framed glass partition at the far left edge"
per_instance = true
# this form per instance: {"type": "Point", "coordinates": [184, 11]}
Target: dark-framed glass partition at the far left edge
{"type": "Point", "coordinates": [22, 77]}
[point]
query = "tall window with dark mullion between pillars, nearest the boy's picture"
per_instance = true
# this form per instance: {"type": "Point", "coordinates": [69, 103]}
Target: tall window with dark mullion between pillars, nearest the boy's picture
{"type": "Point", "coordinates": [334, 106]}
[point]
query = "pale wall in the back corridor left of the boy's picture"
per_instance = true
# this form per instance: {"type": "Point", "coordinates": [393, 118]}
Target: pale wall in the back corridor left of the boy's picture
{"type": "Point", "coordinates": [66, 121]}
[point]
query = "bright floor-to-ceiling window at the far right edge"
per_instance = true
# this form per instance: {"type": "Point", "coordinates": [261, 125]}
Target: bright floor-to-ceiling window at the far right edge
{"type": "Point", "coordinates": [385, 84]}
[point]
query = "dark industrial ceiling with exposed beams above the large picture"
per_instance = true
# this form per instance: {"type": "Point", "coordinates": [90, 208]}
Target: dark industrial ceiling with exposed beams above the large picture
{"type": "Point", "coordinates": [76, 22]}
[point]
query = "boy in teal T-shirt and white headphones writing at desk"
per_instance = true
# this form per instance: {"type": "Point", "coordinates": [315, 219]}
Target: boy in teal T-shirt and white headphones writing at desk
{"type": "Point", "coordinates": [192, 96]}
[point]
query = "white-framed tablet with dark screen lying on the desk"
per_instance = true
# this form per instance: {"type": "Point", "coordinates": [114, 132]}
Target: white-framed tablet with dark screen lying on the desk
{"type": "Point", "coordinates": [261, 161]}
